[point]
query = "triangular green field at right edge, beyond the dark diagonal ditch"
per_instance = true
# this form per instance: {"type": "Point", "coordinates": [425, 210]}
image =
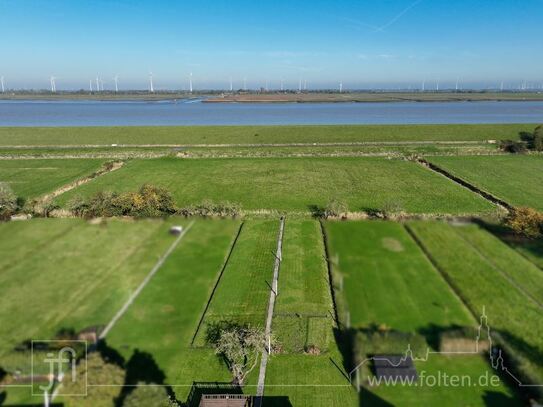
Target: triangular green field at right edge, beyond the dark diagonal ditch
{"type": "Point", "coordinates": [516, 179]}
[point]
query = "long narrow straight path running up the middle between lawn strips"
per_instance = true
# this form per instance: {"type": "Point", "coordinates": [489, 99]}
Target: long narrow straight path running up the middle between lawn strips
{"type": "Point", "coordinates": [269, 319]}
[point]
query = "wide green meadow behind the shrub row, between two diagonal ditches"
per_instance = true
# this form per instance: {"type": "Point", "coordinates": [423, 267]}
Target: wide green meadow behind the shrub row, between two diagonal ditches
{"type": "Point", "coordinates": [295, 184]}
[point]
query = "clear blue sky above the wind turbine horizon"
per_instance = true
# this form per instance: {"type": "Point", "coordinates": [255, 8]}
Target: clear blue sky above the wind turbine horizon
{"type": "Point", "coordinates": [377, 43]}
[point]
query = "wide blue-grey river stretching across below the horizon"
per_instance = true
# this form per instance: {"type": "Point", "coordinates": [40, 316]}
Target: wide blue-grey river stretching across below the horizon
{"type": "Point", "coordinates": [98, 113]}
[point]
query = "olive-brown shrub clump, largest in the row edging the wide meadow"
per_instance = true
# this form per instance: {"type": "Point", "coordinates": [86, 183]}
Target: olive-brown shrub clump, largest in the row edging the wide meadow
{"type": "Point", "coordinates": [149, 201]}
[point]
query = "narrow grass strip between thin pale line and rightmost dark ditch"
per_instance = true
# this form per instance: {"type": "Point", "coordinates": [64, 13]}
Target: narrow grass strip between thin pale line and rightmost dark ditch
{"type": "Point", "coordinates": [525, 275]}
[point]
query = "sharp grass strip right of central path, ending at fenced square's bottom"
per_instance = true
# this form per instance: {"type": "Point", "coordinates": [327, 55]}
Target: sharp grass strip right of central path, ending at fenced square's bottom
{"type": "Point", "coordinates": [303, 314]}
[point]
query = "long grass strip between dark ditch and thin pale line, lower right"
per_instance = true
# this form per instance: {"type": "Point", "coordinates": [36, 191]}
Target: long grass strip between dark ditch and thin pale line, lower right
{"type": "Point", "coordinates": [510, 313]}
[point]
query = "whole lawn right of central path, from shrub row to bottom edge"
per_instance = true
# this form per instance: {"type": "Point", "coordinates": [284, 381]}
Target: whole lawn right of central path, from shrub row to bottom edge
{"type": "Point", "coordinates": [303, 318]}
